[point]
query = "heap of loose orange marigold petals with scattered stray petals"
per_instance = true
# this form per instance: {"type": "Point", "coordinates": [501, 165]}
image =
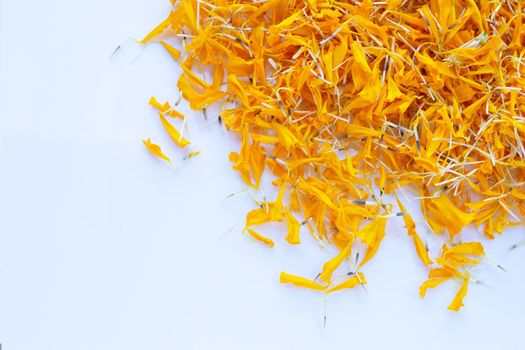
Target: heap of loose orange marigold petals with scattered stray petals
{"type": "Point", "coordinates": [347, 103]}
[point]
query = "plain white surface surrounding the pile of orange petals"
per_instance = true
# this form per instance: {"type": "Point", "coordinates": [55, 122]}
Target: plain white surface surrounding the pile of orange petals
{"type": "Point", "coordinates": [104, 247]}
